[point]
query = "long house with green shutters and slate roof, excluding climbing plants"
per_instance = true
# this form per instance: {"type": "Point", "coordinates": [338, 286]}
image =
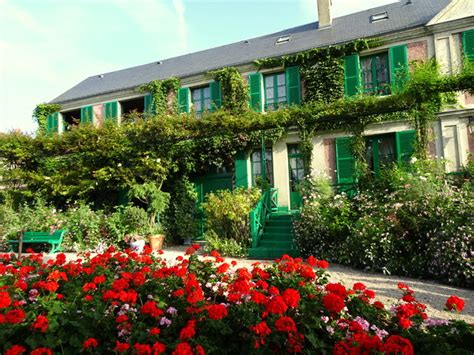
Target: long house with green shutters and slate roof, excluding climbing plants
{"type": "Point", "coordinates": [410, 29]}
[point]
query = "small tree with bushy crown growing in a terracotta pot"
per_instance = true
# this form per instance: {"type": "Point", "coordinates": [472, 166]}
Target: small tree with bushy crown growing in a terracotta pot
{"type": "Point", "coordinates": [156, 202]}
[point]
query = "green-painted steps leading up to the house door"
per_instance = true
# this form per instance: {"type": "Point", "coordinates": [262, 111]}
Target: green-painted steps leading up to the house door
{"type": "Point", "coordinates": [277, 238]}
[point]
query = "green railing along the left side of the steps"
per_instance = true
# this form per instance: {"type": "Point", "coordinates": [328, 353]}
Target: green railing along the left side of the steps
{"type": "Point", "coordinates": [267, 204]}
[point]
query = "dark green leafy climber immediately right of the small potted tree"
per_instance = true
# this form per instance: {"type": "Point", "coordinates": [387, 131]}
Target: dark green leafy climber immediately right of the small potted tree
{"type": "Point", "coordinates": [181, 215]}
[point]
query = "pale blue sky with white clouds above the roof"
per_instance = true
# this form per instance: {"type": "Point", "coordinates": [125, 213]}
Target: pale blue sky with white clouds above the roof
{"type": "Point", "coordinates": [48, 46]}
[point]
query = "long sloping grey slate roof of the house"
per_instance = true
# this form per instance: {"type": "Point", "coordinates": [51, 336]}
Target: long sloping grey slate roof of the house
{"type": "Point", "coordinates": [346, 28]}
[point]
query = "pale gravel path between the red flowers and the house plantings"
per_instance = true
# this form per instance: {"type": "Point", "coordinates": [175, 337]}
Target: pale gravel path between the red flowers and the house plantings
{"type": "Point", "coordinates": [433, 294]}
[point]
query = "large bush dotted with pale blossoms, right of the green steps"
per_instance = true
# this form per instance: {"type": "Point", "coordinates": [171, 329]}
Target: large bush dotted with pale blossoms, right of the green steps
{"type": "Point", "coordinates": [411, 221]}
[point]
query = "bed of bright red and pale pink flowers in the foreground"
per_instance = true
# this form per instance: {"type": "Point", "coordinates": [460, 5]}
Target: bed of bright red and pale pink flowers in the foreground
{"type": "Point", "coordinates": [124, 302]}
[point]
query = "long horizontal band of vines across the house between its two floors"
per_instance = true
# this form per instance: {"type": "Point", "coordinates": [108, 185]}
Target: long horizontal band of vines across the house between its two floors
{"type": "Point", "coordinates": [91, 163]}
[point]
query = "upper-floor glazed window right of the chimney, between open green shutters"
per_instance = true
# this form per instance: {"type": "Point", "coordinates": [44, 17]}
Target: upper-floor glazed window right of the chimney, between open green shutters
{"type": "Point", "coordinates": [375, 75]}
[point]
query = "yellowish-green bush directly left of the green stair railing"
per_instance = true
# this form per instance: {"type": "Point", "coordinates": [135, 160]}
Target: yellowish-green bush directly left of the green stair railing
{"type": "Point", "coordinates": [227, 213]}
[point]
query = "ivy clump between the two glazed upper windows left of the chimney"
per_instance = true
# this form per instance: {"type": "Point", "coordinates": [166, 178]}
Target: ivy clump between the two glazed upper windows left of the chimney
{"type": "Point", "coordinates": [235, 94]}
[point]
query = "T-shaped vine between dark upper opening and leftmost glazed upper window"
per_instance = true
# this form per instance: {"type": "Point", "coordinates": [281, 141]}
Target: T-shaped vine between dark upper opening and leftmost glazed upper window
{"type": "Point", "coordinates": [163, 93]}
